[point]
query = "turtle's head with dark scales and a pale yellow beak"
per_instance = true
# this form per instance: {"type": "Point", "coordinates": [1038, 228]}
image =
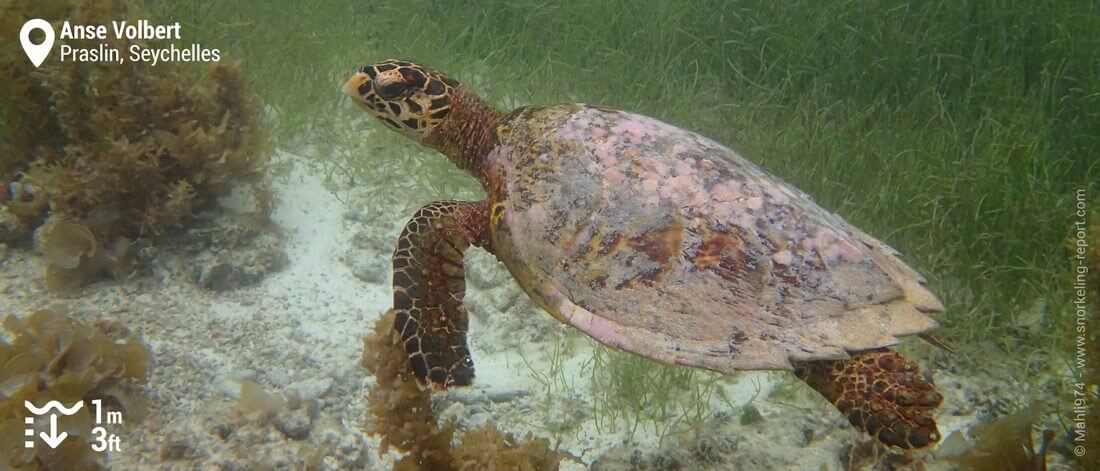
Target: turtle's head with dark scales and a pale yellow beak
{"type": "Point", "coordinates": [409, 97]}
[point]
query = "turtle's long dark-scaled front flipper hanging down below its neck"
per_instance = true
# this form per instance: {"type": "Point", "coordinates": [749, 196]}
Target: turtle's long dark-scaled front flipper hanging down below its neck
{"type": "Point", "coordinates": [430, 284]}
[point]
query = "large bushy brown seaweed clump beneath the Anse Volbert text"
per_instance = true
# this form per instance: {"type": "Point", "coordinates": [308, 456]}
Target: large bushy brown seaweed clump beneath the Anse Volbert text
{"type": "Point", "coordinates": [125, 150]}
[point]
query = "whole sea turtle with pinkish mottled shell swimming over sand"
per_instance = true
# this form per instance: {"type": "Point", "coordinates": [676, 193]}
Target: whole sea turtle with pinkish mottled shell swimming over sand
{"type": "Point", "coordinates": [654, 240]}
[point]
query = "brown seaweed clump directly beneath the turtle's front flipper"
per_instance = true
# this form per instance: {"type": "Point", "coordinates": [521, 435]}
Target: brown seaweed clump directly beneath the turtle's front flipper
{"type": "Point", "coordinates": [401, 413]}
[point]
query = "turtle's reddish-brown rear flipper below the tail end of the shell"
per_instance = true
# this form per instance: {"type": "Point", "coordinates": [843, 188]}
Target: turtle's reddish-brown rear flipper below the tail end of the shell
{"type": "Point", "coordinates": [881, 392]}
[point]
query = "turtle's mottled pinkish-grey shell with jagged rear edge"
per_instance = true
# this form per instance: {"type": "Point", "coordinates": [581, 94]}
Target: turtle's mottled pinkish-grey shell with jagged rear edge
{"type": "Point", "coordinates": [663, 243]}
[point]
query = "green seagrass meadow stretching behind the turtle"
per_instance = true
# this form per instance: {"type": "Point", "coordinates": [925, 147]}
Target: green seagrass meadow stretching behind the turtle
{"type": "Point", "coordinates": [955, 132]}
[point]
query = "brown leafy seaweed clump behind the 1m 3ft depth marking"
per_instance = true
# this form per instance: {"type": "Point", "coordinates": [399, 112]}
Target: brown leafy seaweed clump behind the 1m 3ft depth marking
{"type": "Point", "coordinates": [54, 358]}
